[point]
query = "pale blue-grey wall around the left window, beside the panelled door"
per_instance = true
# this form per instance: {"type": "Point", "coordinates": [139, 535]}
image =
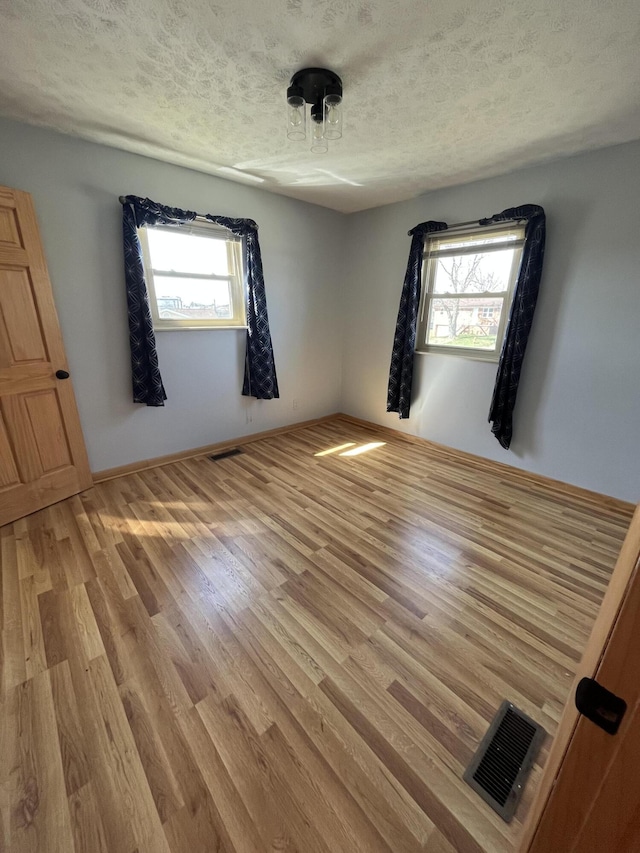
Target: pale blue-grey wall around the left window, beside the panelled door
{"type": "Point", "coordinates": [75, 187]}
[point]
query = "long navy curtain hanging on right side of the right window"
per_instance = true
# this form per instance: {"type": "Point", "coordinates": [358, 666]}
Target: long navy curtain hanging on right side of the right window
{"type": "Point", "coordinates": [520, 318]}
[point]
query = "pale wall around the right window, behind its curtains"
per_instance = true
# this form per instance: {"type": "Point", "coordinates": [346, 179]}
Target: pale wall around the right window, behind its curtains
{"type": "Point", "coordinates": [577, 418]}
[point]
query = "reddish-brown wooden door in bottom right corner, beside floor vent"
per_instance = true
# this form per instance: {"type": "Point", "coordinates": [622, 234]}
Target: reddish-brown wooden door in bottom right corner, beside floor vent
{"type": "Point", "coordinates": [589, 798]}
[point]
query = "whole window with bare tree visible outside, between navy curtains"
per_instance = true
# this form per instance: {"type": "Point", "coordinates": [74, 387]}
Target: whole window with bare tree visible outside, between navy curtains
{"type": "Point", "coordinates": [468, 285]}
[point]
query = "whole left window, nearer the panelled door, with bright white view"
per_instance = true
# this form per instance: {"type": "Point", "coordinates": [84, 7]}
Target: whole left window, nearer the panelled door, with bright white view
{"type": "Point", "coordinates": [194, 276]}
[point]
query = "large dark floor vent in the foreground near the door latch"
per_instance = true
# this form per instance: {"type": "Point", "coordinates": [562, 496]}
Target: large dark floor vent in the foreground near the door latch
{"type": "Point", "coordinates": [504, 758]}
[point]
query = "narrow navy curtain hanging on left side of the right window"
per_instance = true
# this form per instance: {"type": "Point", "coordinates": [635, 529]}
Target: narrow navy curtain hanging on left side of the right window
{"type": "Point", "coordinates": [401, 371]}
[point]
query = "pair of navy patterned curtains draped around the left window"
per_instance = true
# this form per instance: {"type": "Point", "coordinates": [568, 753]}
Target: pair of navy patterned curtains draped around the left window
{"type": "Point", "coordinates": [260, 373]}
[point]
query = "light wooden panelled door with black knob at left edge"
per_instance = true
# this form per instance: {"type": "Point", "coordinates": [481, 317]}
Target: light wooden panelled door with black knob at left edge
{"type": "Point", "coordinates": [42, 453]}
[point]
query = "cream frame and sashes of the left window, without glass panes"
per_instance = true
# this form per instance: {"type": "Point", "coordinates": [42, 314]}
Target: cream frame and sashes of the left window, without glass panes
{"type": "Point", "coordinates": [233, 245]}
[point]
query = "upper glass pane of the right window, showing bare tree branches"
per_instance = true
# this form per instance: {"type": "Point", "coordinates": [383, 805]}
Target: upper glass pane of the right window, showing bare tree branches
{"type": "Point", "coordinates": [486, 271]}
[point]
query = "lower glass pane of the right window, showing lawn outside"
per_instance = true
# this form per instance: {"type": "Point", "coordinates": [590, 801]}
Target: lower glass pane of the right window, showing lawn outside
{"type": "Point", "coordinates": [465, 323]}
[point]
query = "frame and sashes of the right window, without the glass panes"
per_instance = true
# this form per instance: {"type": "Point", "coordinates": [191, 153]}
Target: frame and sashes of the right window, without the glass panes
{"type": "Point", "coordinates": [430, 260]}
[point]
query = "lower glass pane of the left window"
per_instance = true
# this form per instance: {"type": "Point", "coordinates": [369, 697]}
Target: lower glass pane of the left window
{"type": "Point", "coordinates": [192, 299]}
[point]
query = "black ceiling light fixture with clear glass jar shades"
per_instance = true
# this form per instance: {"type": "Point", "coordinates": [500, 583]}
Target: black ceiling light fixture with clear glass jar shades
{"type": "Point", "coordinates": [322, 89]}
